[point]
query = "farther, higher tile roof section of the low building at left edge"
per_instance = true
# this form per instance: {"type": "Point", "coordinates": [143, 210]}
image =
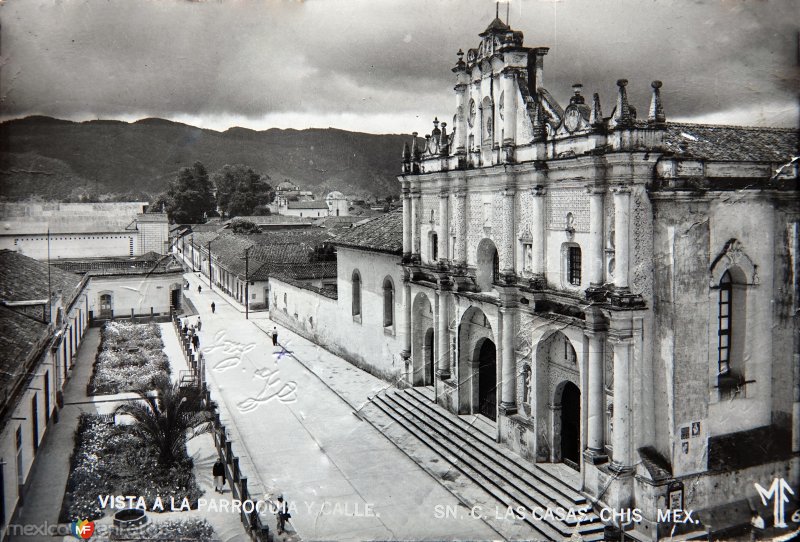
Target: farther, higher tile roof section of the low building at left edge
{"type": "Point", "coordinates": [25, 279]}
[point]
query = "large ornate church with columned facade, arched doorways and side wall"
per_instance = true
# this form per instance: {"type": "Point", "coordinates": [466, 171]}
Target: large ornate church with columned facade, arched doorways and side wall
{"type": "Point", "coordinates": [618, 293]}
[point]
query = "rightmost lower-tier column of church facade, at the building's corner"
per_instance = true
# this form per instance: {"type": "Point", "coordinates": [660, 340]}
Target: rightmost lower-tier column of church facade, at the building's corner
{"type": "Point", "coordinates": [620, 438]}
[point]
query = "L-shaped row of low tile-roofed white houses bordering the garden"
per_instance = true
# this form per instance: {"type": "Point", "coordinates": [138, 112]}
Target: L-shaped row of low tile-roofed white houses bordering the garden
{"type": "Point", "coordinates": [45, 311]}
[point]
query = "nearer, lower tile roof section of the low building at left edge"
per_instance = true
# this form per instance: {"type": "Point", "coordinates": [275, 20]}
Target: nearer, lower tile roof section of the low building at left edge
{"type": "Point", "coordinates": [20, 336]}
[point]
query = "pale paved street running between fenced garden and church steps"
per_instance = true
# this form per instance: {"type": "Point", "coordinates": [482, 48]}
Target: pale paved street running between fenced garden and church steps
{"type": "Point", "coordinates": [302, 440]}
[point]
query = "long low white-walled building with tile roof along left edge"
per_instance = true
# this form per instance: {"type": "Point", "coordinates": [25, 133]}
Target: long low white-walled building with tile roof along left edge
{"type": "Point", "coordinates": [43, 316]}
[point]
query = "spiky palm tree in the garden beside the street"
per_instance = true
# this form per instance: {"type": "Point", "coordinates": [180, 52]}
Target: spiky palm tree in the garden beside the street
{"type": "Point", "coordinates": [167, 418]}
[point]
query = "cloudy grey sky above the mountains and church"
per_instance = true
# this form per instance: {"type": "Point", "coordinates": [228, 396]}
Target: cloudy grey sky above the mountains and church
{"type": "Point", "coordinates": [383, 66]}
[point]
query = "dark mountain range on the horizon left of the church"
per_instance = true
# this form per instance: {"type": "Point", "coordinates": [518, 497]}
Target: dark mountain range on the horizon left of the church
{"type": "Point", "coordinates": [57, 159]}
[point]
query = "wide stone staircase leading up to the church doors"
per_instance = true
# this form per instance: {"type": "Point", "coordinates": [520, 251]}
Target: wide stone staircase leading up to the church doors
{"type": "Point", "coordinates": [487, 478]}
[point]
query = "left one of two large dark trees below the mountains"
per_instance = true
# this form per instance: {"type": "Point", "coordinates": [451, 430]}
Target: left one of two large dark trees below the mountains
{"type": "Point", "coordinates": [189, 198]}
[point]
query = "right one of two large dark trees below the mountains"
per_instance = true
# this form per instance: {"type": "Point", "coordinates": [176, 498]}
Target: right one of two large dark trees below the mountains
{"type": "Point", "coordinates": [240, 190]}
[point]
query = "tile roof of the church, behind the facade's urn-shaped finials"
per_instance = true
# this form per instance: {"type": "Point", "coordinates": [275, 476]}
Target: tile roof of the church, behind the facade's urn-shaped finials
{"type": "Point", "coordinates": [732, 143]}
